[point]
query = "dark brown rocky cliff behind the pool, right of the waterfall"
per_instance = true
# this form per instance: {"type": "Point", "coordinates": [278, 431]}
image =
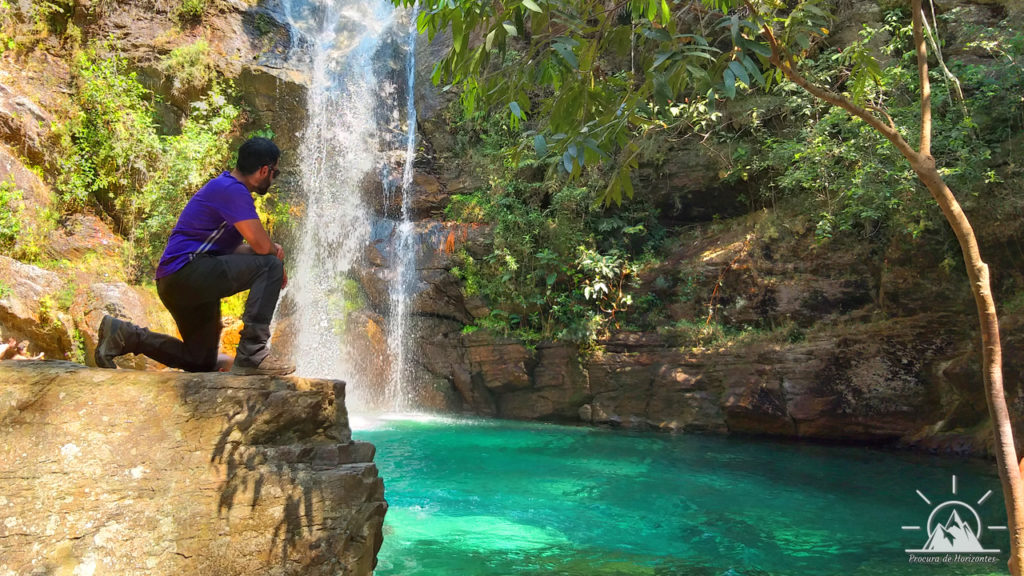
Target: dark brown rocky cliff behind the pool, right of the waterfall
{"type": "Point", "coordinates": [857, 342]}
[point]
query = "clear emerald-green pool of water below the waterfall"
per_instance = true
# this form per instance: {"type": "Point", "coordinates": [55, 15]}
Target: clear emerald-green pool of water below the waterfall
{"type": "Point", "coordinates": [476, 498]}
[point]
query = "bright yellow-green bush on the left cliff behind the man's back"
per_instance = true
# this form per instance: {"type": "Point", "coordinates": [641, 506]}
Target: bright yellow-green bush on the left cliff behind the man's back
{"type": "Point", "coordinates": [118, 162]}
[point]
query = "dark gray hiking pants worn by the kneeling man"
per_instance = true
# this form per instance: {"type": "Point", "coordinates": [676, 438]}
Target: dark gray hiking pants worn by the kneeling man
{"type": "Point", "coordinates": [193, 297]}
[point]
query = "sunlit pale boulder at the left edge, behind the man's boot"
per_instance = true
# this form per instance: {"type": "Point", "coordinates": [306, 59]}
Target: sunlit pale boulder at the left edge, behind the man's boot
{"type": "Point", "coordinates": [30, 309]}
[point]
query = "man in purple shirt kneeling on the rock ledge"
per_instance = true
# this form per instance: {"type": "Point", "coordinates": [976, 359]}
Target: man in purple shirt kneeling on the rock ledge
{"type": "Point", "coordinates": [206, 261]}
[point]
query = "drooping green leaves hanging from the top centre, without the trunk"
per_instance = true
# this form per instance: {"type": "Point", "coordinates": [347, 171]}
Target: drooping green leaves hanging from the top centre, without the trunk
{"type": "Point", "coordinates": [590, 83]}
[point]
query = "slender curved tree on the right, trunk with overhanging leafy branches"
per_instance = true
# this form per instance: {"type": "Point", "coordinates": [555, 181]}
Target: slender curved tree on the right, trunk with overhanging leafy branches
{"type": "Point", "coordinates": [595, 76]}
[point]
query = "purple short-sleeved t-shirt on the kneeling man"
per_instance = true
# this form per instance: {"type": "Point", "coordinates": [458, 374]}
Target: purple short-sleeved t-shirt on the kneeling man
{"type": "Point", "coordinates": [207, 224]}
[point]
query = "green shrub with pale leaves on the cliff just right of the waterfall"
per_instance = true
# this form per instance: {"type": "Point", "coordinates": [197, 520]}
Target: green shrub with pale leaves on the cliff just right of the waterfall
{"type": "Point", "coordinates": [562, 267]}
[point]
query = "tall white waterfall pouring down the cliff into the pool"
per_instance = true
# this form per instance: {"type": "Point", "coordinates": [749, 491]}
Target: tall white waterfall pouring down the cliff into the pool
{"type": "Point", "coordinates": [355, 140]}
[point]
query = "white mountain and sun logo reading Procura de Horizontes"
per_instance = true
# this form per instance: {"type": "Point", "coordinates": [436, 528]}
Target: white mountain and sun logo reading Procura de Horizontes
{"type": "Point", "coordinates": [954, 526]}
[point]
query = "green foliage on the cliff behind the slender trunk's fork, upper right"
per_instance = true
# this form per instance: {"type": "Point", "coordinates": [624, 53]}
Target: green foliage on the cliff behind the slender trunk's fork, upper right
{"type": "Point", "coordinates": [850, 176]}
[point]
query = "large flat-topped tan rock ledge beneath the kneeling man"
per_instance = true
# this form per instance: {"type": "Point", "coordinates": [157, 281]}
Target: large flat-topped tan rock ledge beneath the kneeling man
{"type": "Point", "coordinates": [125, 472]}
